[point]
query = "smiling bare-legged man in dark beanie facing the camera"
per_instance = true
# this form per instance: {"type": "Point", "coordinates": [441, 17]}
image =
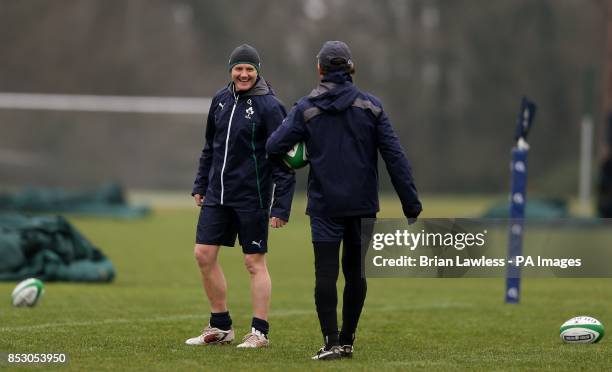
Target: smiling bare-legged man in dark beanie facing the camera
{"type": "Point", "coordinates": [239, 192]}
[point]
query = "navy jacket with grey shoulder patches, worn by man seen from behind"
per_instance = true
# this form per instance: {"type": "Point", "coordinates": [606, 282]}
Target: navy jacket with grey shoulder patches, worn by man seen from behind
{"type": "Point", "coordinates": [343, 129]}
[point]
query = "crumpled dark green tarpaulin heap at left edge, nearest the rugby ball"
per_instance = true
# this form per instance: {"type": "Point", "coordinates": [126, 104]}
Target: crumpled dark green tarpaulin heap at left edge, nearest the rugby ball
{"type": "Point", "coordinates": [48, 248]}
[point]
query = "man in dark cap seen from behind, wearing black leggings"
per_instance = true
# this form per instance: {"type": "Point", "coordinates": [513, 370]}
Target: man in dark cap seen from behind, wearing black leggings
{"type": "Point", "coordinates": [343, 129]}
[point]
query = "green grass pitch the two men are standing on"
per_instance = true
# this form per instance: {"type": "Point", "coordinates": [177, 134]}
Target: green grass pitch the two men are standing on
{"type": "Point", "coordinates": [141, 320]}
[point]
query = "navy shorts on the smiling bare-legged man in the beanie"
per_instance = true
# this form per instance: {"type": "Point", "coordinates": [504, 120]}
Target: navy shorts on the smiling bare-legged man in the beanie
{"type": "Point", "coordinates": [219, 225]}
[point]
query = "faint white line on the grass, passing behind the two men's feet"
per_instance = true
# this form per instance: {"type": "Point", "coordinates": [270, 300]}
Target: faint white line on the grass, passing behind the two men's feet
{"type": "Point", "coordinates": [171, 318]}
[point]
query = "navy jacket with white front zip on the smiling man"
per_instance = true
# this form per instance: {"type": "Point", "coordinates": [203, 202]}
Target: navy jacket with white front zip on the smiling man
{"type": "Point", "coordinates": [234, 170]}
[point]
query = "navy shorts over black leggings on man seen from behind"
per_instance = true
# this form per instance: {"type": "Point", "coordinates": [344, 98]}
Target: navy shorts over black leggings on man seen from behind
{"type": "Point", "coordinates": [336, 229]}
